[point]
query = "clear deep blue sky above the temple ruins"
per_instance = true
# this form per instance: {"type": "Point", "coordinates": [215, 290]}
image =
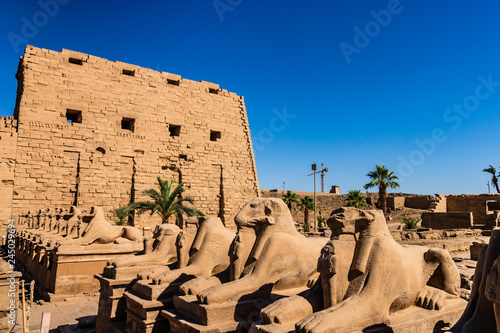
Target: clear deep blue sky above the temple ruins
{"type": "Point", "coordinates": [346, 83]}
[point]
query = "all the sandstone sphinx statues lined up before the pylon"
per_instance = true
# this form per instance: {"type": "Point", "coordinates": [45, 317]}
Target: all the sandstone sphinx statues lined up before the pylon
{"type": "Point", "coordinates": [359, 278]}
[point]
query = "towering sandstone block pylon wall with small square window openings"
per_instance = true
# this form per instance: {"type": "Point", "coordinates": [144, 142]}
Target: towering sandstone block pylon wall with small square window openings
{"type": "Point", "coordinates": [99, 132]}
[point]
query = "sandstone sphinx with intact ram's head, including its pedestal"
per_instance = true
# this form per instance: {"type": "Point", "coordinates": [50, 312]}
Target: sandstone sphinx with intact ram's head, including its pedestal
{"type": "Point", "coordinates": [269, 258]}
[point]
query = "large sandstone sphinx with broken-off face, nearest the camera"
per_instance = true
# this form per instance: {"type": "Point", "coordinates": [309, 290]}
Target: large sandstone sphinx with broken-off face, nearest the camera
{"type": "Point", "coordinates": [366, 276]}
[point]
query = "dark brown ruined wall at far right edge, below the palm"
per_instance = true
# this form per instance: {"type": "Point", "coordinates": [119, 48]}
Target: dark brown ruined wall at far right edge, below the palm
{"type": "Point", "coordinates": [475, 203]}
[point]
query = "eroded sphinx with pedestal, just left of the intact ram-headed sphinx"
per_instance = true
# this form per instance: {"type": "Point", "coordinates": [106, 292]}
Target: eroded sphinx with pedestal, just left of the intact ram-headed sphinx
{"type": "Point", "coordinates": [202, 249]}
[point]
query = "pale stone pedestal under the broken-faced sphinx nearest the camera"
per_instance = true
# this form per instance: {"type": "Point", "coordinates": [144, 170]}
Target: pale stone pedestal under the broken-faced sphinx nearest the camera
{"type": "Point", "coordinates": [413, 319]}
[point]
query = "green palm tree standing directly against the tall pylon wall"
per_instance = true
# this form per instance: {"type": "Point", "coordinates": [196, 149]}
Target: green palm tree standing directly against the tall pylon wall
{"type": "Point", "coordinates": [166, 202]}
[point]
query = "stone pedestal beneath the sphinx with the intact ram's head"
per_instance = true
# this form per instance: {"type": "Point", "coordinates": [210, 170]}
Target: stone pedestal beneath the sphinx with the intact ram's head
{"type": "Point", "coordinates": [191, 316]}
